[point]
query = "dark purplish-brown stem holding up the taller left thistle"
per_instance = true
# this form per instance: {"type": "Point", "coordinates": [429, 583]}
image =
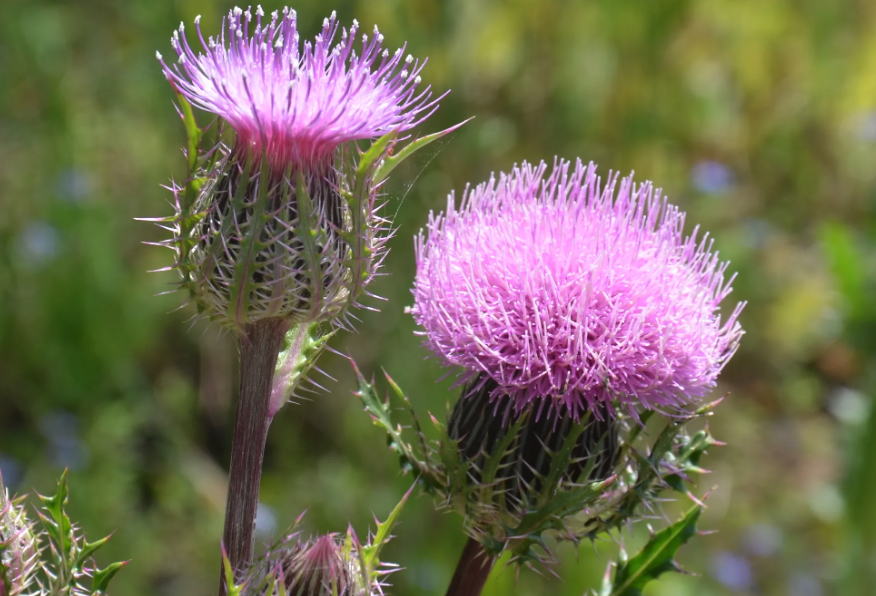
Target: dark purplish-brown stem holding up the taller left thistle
{"type": "Point", "coordinates": [259, 346]}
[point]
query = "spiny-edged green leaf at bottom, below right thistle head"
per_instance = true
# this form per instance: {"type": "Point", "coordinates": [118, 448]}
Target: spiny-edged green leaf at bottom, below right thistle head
{"type": "Point", "coordinates": [655, 558]}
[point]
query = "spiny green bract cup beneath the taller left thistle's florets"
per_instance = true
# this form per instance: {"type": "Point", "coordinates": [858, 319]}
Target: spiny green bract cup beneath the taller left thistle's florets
{"type": "Point", "coordinates": [253, 242]}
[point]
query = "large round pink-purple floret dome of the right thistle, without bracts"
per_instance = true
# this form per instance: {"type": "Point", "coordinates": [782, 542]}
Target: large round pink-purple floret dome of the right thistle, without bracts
{"type": "Point", "coordinates": [569, 294]}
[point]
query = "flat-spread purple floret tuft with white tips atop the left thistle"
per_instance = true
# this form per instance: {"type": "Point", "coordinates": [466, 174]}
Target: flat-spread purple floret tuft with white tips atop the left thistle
{"type": "Point", "coordinates": [298, 105]}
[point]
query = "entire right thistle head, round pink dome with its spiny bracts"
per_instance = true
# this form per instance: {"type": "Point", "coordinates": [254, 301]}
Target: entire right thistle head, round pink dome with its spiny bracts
{"type": "Point", "coordinates": [572, 309]}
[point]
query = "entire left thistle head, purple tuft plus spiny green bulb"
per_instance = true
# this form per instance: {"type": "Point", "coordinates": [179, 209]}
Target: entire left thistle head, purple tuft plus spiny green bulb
{"type": "Point", "coordinates": [282, 222]}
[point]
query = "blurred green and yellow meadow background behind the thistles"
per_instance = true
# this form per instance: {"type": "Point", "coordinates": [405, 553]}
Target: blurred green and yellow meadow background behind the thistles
{"type": "Point", "coordinates": [758, 118]}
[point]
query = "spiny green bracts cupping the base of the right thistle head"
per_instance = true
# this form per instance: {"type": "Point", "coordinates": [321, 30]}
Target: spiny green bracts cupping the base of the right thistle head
{"type": "Point", "coordinates": [555, 505]}
